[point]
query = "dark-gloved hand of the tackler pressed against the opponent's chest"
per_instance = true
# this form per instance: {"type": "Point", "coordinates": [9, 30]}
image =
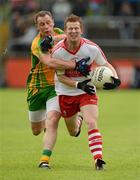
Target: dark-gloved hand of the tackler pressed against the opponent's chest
{"type": "Point", "coordinates": [82, 66]}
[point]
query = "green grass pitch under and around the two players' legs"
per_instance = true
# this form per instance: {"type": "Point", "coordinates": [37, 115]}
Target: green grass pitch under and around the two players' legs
{"type": "Point", "coordinates": [119, 123]}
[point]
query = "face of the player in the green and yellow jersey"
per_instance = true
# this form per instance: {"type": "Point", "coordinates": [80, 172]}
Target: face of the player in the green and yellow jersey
{"type": "Point", "coordinates": [45, 25]}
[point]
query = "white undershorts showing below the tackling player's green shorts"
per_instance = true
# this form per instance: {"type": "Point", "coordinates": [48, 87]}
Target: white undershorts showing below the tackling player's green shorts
{"type": "Point", "coordinates": [40, 115]}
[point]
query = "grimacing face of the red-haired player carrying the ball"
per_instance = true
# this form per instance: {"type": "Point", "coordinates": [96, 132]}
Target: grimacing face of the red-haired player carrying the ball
{"type": "Point", "coordinates": [73, 31]}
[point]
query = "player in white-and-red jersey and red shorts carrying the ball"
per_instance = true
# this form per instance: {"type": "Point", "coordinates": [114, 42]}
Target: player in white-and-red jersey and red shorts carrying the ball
{"type": "Point", "coordinates": [74, 90]}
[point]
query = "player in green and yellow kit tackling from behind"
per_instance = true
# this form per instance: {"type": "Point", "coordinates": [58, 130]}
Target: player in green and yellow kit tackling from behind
{"type": "Point", "coordinates": [44, 112]}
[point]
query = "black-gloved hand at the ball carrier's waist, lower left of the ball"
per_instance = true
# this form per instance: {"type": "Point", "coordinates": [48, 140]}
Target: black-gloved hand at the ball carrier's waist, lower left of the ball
{"type": "Point", "coordinates": [86, 87]}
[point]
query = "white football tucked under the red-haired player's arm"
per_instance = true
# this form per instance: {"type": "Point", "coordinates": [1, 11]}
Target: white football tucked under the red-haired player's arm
{"type": "Point", "coordinates": [100, 75]}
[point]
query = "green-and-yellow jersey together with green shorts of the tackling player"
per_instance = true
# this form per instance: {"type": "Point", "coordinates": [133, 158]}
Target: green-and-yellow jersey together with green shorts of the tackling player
{"type": "Point", "coordinates": [40, 81]}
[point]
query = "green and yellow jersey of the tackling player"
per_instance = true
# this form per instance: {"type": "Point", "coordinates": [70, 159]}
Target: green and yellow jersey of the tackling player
{"type": "Point", "coordinates": [41, 76]}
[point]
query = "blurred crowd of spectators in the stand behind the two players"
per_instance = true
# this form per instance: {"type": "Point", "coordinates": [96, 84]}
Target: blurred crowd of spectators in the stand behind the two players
{"type": "Point", "coordinates": [21, 13]}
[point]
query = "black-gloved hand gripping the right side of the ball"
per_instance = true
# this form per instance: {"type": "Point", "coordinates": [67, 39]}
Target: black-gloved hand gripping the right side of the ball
{"type": "Point", "coordinates": [116, 83]}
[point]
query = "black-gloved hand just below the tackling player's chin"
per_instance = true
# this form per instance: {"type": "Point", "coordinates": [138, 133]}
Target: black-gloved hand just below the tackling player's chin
{"type": "Point", "coordinates": [46, 44]}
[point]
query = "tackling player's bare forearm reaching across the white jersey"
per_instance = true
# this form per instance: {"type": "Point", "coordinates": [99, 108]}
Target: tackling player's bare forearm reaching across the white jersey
{"type": "Point", "coordinates": [56, 63]}
